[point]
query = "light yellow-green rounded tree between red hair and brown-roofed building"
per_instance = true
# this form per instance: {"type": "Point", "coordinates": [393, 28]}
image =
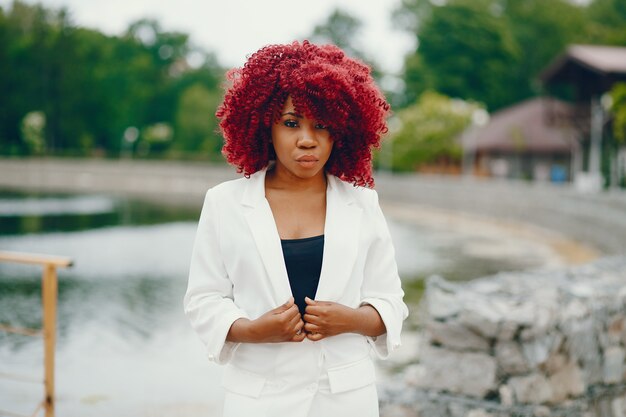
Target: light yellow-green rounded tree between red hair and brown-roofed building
{"type": "Point", "coordinates": [428, 132]}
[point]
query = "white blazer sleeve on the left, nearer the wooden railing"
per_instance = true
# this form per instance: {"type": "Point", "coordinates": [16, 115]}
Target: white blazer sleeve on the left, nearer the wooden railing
{"type": "Point", "coordinates": [208, 302]}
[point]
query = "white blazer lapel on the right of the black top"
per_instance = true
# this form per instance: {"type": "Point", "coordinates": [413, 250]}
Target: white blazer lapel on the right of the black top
{"type": "Point", "coordinates": [341, 238]}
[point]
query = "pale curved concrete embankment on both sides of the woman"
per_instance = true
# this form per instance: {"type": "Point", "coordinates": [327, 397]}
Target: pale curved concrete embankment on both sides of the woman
{"type": "Point", "coordinates": [595, 220]}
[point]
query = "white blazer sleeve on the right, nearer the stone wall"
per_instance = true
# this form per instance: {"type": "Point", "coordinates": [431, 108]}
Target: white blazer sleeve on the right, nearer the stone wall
{"type": "Point", "coordinates": [381, 284]}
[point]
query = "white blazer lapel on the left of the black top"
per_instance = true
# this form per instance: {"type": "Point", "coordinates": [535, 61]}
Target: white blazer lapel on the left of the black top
{"type": "Point", "coordinates": [263, 227]}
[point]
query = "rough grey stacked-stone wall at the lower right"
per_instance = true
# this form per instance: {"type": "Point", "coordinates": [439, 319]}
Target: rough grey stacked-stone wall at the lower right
{"type": "Point", "coordinates": [533, 343]}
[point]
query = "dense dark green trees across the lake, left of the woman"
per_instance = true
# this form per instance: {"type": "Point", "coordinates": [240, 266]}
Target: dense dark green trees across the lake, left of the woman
{"type": "Point", "coordinates": [91, 87]}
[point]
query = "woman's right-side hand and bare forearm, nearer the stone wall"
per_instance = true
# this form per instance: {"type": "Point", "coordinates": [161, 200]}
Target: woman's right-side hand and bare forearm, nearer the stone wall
{"type": "Point", "coordinates": [326, 318]}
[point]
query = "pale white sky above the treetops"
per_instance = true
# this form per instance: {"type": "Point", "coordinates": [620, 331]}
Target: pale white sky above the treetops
{"type": "Point", "coordinates": [233, 29]}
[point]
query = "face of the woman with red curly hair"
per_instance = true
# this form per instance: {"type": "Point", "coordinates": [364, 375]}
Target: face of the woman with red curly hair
{"type": "Point", "coordinates": [302, 145]}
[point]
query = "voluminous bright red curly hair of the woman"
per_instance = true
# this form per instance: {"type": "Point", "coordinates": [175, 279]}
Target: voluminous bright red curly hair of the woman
{"type": "Point", "coordinates": [325, 85]}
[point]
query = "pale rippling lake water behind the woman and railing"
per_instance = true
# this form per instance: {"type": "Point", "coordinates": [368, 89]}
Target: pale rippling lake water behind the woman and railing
{"type": "Point", "coordinates": [124, 347]}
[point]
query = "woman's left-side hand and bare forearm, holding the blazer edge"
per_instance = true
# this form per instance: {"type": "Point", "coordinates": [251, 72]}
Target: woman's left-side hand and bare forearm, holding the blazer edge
{"type": "Point", "coordinates": [282, 324]}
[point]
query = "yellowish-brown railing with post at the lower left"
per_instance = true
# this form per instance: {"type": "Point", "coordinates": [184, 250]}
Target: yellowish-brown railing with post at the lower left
{"type": "Point", "coordinates": [49, 287]}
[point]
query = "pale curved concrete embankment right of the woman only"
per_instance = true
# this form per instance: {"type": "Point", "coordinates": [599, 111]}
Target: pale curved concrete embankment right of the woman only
{"type": "Point", "coordinates": [597, 220]}
